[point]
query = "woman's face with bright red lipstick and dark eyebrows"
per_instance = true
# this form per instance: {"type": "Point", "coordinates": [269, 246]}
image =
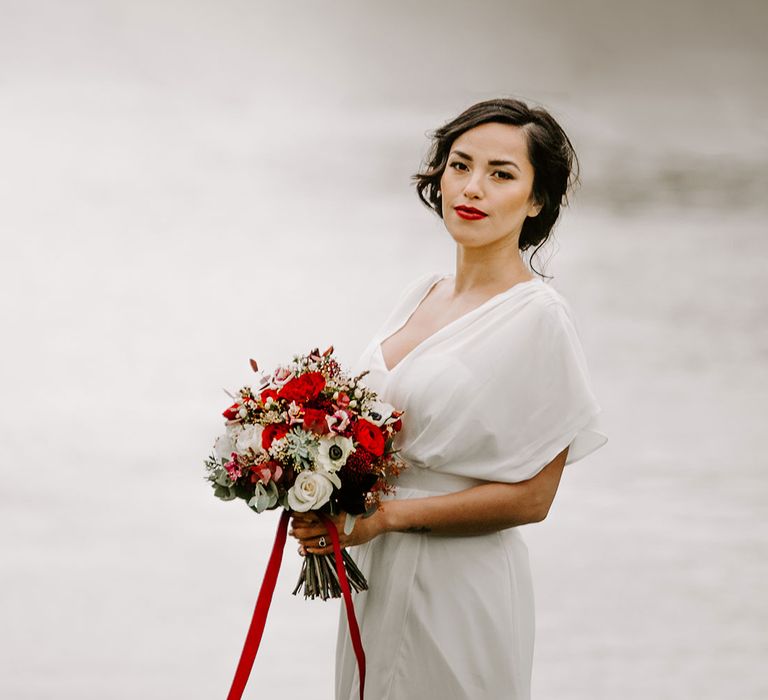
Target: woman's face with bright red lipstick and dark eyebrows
{"type": "Point", "coordinates": [487, 185]}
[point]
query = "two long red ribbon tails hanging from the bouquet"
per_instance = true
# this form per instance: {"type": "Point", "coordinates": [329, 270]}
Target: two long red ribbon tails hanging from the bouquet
{"type": "Point", "coordinates": [259, 620]}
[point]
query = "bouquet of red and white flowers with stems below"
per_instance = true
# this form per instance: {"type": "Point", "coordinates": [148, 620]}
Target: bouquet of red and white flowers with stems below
{"type": "Point", "coordinates": [309, 437]}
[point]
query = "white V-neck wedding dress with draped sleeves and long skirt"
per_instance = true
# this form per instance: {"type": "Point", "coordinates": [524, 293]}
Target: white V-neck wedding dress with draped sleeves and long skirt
{"type": "Point", "coordinates": [493, 396]}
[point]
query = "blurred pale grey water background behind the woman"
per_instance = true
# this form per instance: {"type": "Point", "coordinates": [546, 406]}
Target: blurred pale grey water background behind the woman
{"type": "Point", "coordinates": [185, 185]}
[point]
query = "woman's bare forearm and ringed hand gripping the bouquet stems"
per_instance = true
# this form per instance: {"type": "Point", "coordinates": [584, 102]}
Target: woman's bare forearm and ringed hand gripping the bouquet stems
{"type": "Point", "coordinates": [473, 511]}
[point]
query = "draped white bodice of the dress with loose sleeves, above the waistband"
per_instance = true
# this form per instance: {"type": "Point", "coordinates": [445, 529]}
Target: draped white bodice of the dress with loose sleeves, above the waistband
{"type": "Point", "coordinates": [496, 394]}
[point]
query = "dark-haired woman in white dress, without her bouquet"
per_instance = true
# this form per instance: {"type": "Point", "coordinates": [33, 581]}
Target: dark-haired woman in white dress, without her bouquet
{"type": "Point", "coordinates": [489, 370]}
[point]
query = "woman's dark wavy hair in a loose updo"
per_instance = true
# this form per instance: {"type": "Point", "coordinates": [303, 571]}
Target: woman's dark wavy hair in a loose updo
{"type": "Point", "coordinates": [555, 165]}
